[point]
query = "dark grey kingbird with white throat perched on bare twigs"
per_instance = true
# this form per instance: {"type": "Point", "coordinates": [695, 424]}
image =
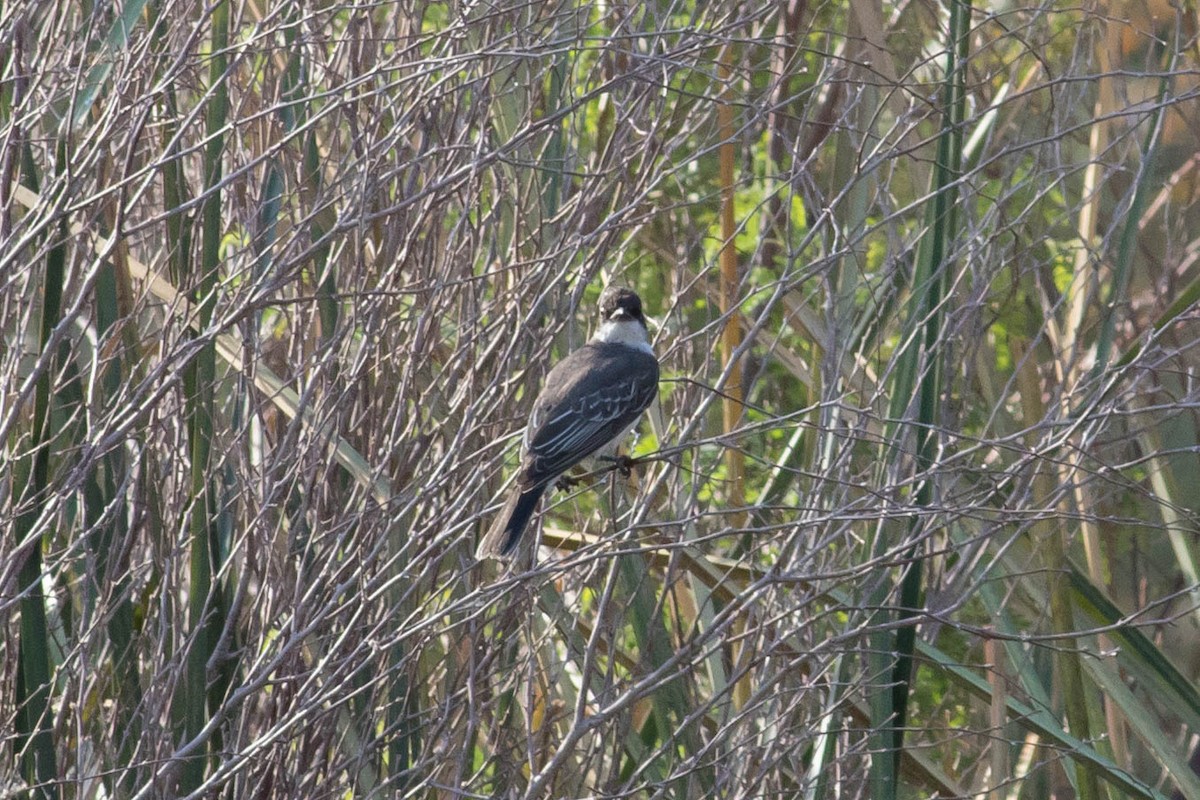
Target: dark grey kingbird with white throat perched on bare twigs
{"type": "Point", "coordinates": [592, 399]}
